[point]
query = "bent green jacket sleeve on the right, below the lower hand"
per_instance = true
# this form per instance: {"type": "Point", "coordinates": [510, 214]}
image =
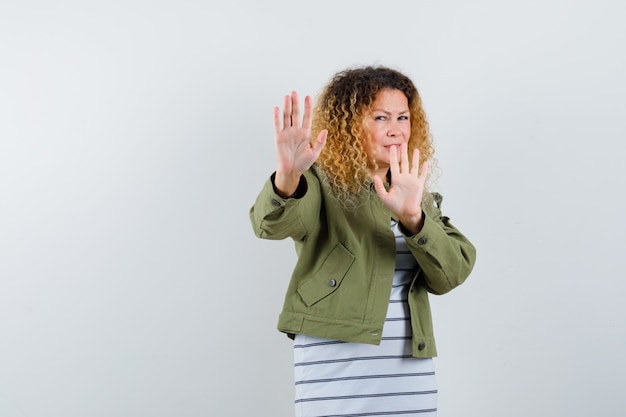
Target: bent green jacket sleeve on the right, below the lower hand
{"type": "Point", "coordinates": [445, 256]}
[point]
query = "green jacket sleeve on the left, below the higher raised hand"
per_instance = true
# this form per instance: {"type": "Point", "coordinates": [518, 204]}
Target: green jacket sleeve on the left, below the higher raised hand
{"type": "Point", "coordinates": [274, 217]}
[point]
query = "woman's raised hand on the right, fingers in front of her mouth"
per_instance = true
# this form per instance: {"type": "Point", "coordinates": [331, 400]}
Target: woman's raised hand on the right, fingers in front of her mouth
{"type": "Point", "coordinates": [404, 197]}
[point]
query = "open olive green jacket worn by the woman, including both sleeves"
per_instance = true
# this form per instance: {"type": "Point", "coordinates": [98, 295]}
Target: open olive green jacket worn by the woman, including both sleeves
{"type": "Point", "coordinates": [341, 283]}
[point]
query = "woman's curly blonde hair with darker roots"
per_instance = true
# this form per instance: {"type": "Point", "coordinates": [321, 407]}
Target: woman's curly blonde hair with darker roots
{"type": "Point", "coordinates": [342, 107]}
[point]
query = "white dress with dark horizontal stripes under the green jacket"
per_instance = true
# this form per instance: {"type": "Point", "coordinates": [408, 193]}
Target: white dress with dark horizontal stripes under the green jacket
{"type": "Point", "coordinates": [339, 379]}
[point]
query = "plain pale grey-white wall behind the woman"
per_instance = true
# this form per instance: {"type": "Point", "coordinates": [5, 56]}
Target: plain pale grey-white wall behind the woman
{"type": "Point", "coordinates": [134, 136]}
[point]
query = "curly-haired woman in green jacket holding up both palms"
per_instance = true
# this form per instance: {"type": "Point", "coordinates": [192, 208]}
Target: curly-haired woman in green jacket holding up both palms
{"type": "Point", "coordinates": [350, 190]}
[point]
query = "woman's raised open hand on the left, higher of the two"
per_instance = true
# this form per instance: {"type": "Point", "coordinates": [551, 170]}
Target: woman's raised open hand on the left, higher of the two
{"type": "Point", "coordinates": [294, 151]}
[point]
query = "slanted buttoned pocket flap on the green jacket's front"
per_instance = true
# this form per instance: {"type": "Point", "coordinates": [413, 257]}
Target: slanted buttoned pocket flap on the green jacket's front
{"type": "Point", "coordinates": [328, 278]}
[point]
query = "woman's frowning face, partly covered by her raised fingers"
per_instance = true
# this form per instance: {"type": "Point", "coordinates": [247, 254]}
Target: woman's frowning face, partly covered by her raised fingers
{"type": "Point", "coordinates": [389, 125]}
